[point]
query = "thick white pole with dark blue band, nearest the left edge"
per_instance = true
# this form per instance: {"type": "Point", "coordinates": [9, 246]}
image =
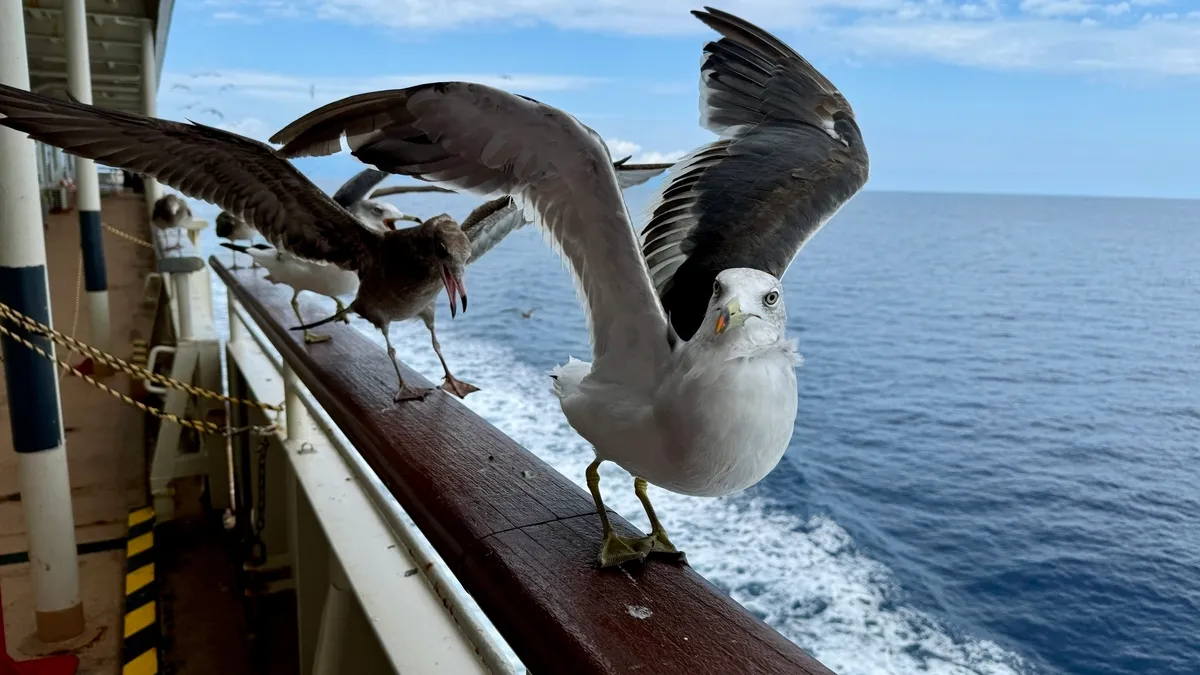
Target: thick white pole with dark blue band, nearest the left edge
{"type": "Point", "coordinates": [34, 408]}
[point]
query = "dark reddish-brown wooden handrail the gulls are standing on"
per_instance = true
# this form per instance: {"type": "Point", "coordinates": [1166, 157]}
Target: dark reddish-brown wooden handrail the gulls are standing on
{"type": "Point", "coordinates": [519, 536]}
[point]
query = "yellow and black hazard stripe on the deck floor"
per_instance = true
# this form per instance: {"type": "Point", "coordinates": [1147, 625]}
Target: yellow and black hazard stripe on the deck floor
{"type": "Point", "coordinates": [140, 648]}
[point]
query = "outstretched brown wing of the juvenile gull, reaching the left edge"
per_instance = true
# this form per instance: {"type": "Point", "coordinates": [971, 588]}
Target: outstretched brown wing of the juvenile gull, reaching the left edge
{"type": "Point", "coordinates": [239, 175]}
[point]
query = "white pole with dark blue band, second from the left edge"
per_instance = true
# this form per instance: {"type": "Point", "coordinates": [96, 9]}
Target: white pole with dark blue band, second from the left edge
{"type": "Point", "coordinates": [92, 237]}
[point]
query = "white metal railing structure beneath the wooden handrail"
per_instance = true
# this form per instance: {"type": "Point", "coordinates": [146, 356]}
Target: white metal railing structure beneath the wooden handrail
{"type": "Point", "coordinates": [373, 595]}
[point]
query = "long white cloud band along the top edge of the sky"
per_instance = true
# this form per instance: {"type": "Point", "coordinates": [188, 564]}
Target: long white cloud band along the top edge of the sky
{"type": "Point", "coordinates": [1115, 37]}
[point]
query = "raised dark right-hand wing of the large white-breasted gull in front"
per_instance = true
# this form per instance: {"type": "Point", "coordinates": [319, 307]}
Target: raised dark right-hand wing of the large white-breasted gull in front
{"type": "Point", "coordinates": [790, 157]}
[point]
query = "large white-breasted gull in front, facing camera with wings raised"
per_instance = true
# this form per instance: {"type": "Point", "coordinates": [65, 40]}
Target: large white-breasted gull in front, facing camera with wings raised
{"type": "Point", "coordinates": [706, 417]}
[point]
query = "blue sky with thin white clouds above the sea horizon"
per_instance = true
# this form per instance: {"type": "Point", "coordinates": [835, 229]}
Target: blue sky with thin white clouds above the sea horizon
{"type": "Point", "coordinates": [1016, 97]}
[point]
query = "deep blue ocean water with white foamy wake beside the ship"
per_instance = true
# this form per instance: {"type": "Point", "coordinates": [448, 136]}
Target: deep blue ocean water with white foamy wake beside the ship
{"type": "Point", "coordinates": [995, 468]}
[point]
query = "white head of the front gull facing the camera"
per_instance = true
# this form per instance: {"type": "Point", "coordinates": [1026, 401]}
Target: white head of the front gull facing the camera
{"type": "Point", "coordinates": [747, 309]}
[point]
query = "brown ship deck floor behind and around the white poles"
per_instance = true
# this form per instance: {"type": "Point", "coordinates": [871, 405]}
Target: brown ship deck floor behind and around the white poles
{"type": "Point", "coordinates": [104, 438]}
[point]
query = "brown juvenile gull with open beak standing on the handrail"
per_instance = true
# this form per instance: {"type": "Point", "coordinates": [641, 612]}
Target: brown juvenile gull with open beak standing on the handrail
{"type": "Point", "coordinates": [399, 271]}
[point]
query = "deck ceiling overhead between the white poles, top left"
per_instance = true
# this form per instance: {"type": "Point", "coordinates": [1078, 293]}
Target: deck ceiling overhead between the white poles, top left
{"type": "Point", "coordinates": [115, 47]}
